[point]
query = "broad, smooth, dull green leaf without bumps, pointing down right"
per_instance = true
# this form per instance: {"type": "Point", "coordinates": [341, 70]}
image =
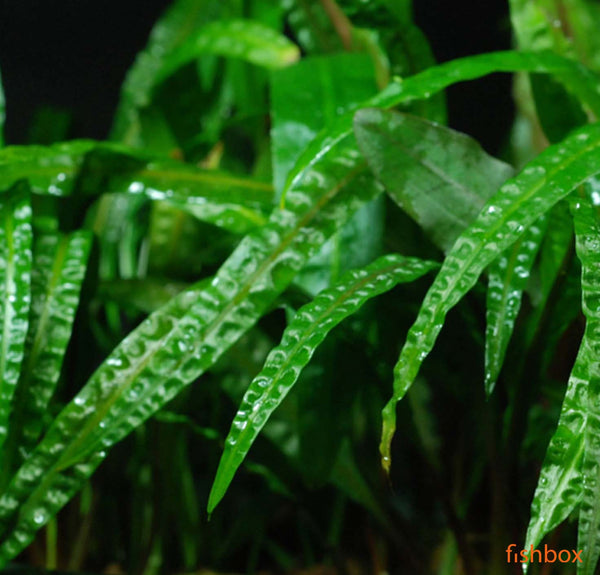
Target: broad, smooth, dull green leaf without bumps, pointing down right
{"type": "Point", "coordinates": [440, 177]}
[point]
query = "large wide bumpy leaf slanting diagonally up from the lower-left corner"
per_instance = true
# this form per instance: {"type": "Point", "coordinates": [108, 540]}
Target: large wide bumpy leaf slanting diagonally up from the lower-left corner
{"type": "Point", "coordinates": [176, 344]}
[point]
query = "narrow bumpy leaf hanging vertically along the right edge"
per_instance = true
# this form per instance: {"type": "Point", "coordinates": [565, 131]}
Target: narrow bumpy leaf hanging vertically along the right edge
{"type": "Point", "coordinates": [587, 230]}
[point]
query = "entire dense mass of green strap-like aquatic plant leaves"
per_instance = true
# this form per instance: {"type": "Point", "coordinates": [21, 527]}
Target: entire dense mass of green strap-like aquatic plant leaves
{"type": "Point", "coordinates": [248, 202]}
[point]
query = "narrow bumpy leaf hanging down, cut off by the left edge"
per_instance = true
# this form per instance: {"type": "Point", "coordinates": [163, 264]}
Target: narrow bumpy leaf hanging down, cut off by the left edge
{"type": "Point", "coordinates": [15, 292]}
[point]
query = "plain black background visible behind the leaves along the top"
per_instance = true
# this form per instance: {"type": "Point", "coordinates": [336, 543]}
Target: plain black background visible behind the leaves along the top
{"type": "Point", "coordinates": [73, 55]}
